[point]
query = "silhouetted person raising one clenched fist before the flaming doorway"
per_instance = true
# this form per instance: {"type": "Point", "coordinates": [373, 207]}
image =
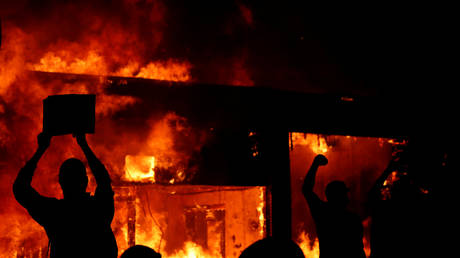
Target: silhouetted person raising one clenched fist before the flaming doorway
{"type": "Point", "coordinates": [340, 232]}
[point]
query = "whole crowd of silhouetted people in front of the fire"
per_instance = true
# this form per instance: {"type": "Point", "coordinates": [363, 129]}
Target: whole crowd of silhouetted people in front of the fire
{"type": "Point", "coordinates": [79, 224]}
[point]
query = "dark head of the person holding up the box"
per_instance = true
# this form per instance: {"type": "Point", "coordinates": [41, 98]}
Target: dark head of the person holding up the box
{"type": "Point", "coordinates": [73, 178]}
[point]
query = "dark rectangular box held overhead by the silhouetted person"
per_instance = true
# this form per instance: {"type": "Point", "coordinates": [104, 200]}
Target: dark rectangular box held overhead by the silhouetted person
{"type": "Point", "coordinates": [68, 114]}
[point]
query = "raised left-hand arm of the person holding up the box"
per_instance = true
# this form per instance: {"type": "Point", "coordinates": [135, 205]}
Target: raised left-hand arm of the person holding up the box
{"type": "Point", "coordinates": [22, 188]}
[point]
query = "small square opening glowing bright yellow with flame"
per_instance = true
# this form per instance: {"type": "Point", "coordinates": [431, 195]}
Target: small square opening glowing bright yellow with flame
{"type": "Point", "coordinates": [140, 168]}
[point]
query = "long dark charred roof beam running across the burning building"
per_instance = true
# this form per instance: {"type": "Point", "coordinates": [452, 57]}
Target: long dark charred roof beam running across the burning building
{"type": "Point", "coordinates": [262, 107]}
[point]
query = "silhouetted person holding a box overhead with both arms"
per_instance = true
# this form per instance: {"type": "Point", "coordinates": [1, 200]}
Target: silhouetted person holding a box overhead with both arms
{"type": "Point", "coordinates": [79, 224]}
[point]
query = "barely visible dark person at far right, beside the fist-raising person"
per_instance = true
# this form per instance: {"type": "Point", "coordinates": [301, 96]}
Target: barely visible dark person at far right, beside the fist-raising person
{"type": "Point", "coordinates": [399, 223]}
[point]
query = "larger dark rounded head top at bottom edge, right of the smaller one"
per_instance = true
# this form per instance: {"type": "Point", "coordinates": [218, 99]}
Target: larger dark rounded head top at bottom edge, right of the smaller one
{"type": "Point", "coordinates": [273, 247]}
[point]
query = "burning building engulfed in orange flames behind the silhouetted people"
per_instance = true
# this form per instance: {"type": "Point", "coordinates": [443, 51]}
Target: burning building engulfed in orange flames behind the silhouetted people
{"type": "Point", "coordinates": [204, 161]}
